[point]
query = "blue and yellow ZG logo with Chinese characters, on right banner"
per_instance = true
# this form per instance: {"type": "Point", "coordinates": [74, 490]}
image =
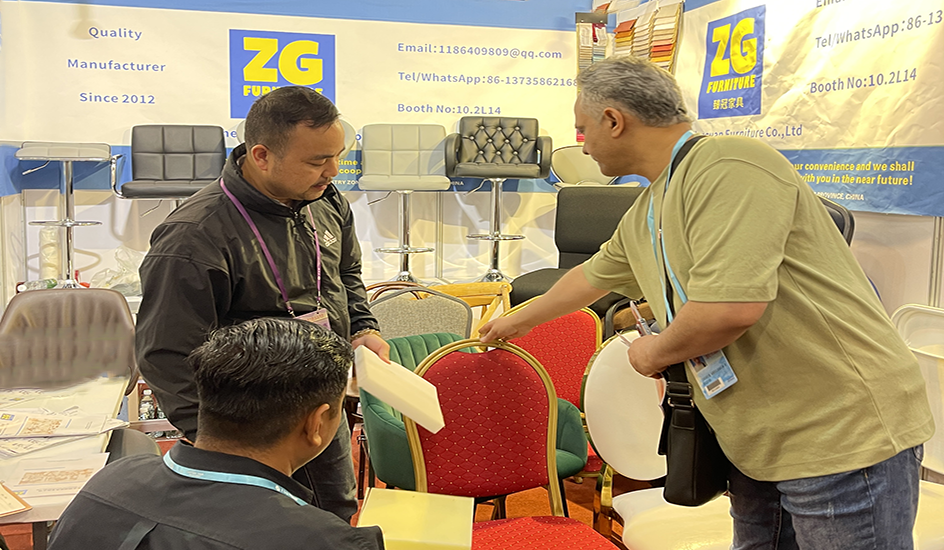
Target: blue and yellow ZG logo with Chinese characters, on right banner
{"type": "Point", "coordinates": [734, 66]}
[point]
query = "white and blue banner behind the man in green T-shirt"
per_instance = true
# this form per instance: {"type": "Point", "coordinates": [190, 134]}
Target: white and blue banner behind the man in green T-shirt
{"type": "Point", "coordinates": [849, 90]}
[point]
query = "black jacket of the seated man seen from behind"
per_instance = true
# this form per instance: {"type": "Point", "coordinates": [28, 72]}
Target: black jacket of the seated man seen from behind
{"type": "Point", "coordinates": [139, 503]}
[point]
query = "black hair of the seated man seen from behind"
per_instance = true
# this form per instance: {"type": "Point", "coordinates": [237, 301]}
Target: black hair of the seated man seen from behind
{"type": "Point", "coordinates": [258, 379]}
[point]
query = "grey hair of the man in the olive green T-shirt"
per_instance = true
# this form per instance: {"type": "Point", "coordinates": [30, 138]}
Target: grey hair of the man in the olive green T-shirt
{"type": "Point", "coordinates": [635, 85]}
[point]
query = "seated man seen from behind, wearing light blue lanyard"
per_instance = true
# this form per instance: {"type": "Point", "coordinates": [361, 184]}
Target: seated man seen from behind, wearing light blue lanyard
{"type": "Point", "coordinates": [270, 400]}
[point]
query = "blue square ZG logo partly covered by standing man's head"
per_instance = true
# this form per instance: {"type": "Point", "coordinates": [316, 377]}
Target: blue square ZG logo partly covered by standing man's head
{"type": "Point", "coordinates": [261, 61]}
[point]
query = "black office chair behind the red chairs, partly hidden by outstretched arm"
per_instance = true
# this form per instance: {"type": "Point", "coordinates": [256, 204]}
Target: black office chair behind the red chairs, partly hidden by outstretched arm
{"type": "Point", "coordinates": [586, 218]}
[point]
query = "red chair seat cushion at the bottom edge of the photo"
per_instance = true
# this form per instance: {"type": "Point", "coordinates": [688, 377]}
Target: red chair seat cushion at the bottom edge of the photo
{"type": "Point", "coordinates": [537, 533]}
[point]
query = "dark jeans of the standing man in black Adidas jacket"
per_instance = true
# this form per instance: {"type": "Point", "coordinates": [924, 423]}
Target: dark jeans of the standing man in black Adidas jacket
{"type": "Point", "coordinates": [331, 475]}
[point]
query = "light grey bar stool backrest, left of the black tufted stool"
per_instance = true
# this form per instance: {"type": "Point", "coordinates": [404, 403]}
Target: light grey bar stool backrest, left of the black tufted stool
{"type": "Point", "coordinates": [403, 157]}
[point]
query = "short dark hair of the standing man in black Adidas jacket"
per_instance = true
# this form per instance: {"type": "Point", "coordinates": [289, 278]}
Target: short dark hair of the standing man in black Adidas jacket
{"type": "Point", "coordinates": [273, 116]}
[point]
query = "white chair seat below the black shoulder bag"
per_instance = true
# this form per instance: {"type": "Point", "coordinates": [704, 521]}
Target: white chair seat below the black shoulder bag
{"type": "Point", "coordinates": [646, 516]}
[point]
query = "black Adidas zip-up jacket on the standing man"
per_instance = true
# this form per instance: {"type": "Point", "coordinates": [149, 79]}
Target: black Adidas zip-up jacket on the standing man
{"type": "Point", "coordinates": [206, 269]}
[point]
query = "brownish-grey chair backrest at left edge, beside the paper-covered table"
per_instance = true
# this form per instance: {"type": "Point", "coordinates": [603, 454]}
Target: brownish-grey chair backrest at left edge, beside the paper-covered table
{"type": "Point", "coordinates": [59, 337]}
